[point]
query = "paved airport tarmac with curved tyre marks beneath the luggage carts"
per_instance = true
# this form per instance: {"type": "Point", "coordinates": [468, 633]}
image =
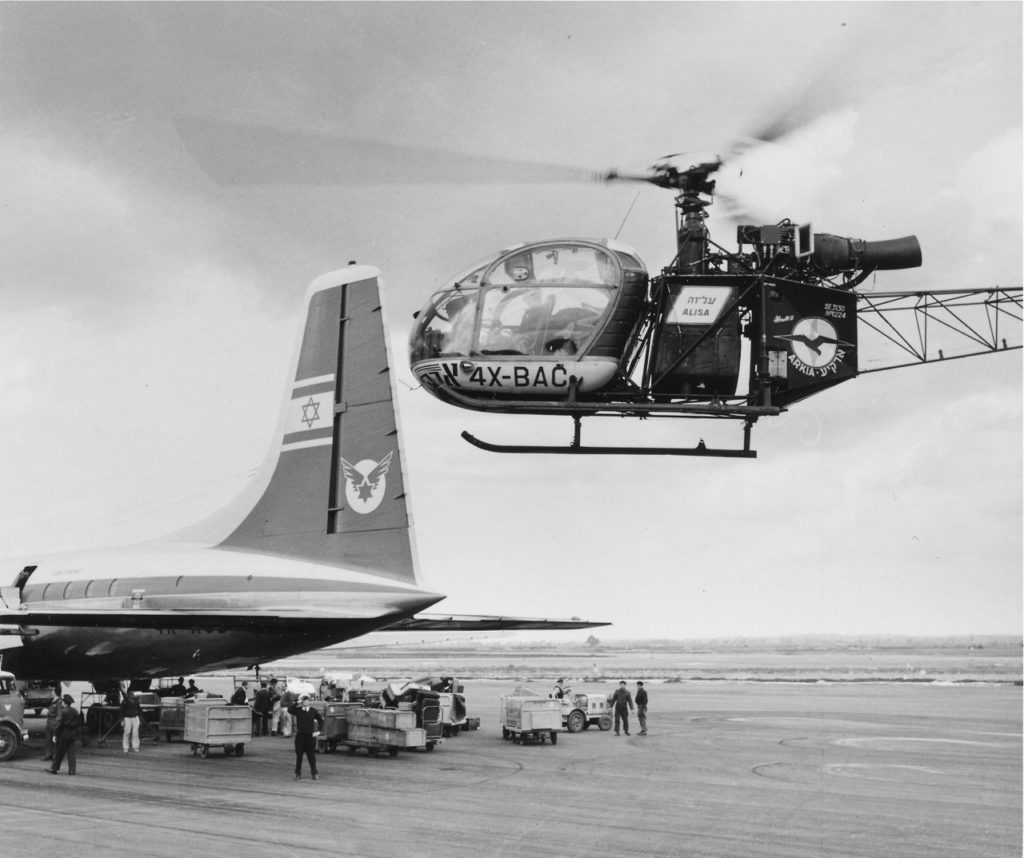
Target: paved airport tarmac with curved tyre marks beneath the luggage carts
{"type": "Point", "coordinates": [729, 769]}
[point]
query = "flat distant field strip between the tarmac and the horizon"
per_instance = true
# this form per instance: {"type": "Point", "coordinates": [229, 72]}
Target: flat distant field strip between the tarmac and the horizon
{"type": "Point", "coordinates": [960, 661]}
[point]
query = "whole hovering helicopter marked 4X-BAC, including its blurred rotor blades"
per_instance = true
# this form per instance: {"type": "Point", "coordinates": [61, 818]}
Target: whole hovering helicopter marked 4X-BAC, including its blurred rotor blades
{"type": "Point", "coordinates": [580, 328]}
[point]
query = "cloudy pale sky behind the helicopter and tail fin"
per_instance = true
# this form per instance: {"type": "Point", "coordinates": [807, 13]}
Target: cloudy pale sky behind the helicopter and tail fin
{"type": "Point", "coordinates": [150, 312]}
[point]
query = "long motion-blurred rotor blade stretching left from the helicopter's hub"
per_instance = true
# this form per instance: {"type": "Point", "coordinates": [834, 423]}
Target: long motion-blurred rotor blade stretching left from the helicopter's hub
{"type": "Point", "coordinates": [235, 153]}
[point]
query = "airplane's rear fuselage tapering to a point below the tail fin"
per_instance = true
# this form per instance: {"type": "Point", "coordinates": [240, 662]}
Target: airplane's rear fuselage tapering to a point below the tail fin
{"type": "Point", "coordinates": [273, 608]}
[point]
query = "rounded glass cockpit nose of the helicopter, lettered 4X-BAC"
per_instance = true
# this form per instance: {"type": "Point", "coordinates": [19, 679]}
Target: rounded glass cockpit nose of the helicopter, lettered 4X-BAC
{"type": "Point", "coordinates": [536, 321]}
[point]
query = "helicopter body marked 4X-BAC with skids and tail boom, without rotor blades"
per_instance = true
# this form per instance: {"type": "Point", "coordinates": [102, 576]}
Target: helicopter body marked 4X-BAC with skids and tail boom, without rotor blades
{"type": "Point", "coordinates": [579, 328]}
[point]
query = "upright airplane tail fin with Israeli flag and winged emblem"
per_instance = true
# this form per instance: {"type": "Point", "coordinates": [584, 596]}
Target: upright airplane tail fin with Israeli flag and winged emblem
{"type": "Point", "coordinates": [333, 490]}
